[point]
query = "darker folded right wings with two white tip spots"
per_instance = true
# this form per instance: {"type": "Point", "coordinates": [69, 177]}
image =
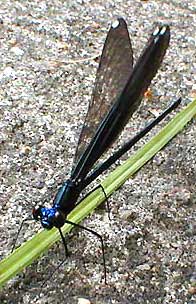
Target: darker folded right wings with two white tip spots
{"type": "Point", "coordinates": [125, 104]}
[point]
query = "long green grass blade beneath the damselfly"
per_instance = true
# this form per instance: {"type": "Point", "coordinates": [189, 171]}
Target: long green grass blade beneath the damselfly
{"type": "Point", "coordinates": [32, 249]}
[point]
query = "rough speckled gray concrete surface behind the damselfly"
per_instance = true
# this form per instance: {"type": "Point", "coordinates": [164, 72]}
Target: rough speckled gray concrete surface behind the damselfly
{"type": "Point", "coordinates": [150, 243]}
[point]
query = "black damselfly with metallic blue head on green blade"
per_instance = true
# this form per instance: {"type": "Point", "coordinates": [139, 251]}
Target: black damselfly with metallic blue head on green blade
{"type": "Point", "coordinates": [118, 91]}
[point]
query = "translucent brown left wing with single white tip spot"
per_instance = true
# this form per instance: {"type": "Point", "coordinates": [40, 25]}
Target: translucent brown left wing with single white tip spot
{"type": "Point", "coordinates": [114, 70]}
